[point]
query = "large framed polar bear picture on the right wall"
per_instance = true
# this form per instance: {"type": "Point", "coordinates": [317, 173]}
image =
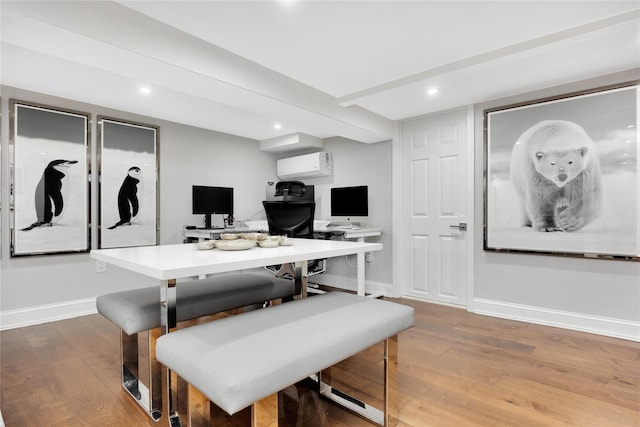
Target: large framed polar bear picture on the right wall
{"type": "Point", "coordinates": [562, 175]}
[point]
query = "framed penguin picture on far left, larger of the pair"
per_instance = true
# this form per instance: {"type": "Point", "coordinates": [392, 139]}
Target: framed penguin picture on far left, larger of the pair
{"type": "Point", "coordinates": [50, 191]}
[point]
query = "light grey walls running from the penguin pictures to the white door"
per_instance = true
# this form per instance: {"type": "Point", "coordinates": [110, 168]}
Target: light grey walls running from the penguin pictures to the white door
{"type": "Point", "coordinates": [41, 288]}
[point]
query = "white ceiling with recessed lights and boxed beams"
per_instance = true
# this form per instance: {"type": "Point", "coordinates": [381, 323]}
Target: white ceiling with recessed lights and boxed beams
{"type": "Point", "coordinates": [325, 68]}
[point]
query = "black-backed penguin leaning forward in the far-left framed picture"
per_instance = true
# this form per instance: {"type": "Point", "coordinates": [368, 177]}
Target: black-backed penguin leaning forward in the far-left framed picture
{"type": "Point", "coordinates": [49, 197]}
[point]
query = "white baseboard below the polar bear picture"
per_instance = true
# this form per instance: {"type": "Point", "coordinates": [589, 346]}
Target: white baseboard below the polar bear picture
{"type": "Point", "coordinates": [625, 329]}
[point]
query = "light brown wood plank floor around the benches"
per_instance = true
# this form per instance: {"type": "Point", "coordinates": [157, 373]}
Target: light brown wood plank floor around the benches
{"type": "Point", "coordinates": [456, 369]}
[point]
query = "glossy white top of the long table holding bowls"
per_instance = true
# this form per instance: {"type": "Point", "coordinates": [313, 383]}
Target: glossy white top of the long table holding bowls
{"type": "Point", "coordinates": [177, 261]}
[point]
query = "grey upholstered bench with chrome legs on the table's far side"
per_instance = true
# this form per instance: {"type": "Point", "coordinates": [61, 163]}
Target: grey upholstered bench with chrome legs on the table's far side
{"type": "Point", "coordinates": [138, 310]}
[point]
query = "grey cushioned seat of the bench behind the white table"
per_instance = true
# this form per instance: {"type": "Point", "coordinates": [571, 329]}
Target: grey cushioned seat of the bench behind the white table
{"type": "Point", "coordinates": [139, 309]}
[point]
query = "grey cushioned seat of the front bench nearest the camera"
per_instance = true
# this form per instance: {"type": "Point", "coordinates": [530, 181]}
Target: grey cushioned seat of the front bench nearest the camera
{"type": "Point", "coordinates": [241, 359]}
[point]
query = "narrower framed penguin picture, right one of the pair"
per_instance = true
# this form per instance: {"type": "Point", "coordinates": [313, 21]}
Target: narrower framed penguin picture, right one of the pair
{"type": "Point", "coordinates": [128, 184]}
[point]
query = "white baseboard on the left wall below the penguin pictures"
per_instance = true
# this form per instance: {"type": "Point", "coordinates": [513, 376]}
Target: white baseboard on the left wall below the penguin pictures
{"type": "Point", "coordinates": [12, 319]}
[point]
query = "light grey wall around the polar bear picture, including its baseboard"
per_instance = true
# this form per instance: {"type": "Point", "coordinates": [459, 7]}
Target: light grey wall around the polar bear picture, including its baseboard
{"type": "Point", "coordinates": [595, 295]}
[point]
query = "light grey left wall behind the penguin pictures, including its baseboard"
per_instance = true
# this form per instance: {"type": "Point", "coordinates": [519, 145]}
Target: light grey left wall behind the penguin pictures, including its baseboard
{"type": "Point", "coordinates": [54, 285]}
